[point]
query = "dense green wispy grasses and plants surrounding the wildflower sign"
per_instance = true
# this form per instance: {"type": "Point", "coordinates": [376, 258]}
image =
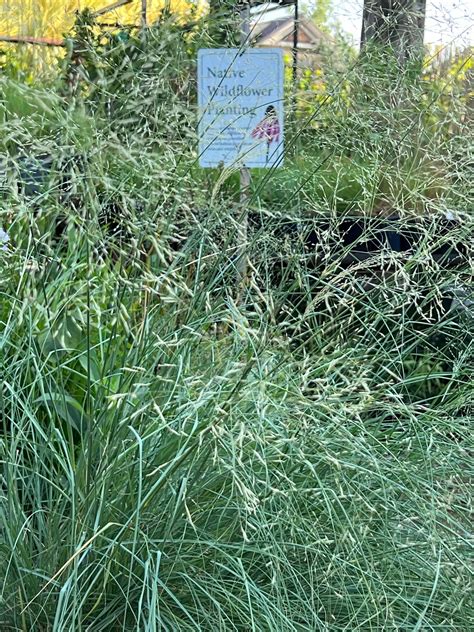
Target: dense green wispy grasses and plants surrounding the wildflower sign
{"type": "Point", "coordinates": [183, 452]}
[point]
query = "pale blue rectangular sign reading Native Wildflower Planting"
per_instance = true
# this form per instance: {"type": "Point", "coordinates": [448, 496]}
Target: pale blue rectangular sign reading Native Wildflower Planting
{"type": "Point", "coordinates": [240, 96]}
